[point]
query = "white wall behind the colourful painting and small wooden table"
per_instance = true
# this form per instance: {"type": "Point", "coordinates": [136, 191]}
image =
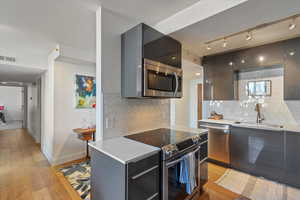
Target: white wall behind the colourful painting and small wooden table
{"type": "Point", "coordinates": [67, 146]}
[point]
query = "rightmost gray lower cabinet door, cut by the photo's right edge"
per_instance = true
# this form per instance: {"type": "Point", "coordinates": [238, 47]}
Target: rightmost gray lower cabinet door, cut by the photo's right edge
{"type": "Point", "coordinates": [292, 171]}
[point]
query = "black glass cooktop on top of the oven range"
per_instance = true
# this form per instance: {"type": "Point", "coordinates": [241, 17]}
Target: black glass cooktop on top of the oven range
{"type": "Point", "coordinates": [161, 137]}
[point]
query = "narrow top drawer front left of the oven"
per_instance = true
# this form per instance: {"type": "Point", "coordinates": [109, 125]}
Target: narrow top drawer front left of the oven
{"type": "Point", "coordinates": [140, 166]}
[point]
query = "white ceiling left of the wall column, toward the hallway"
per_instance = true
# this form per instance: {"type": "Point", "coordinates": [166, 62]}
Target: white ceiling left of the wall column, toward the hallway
{"type": "Point", "coordinates": [37, 26]}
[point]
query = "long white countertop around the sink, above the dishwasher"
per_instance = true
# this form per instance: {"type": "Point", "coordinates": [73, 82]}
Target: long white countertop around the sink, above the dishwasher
{"type": "Point", "coordinates": [286, 127]}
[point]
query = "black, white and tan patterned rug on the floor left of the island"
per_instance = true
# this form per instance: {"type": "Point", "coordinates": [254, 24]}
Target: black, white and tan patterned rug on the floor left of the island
{"type": "Point", "coordinates": [78, 176]}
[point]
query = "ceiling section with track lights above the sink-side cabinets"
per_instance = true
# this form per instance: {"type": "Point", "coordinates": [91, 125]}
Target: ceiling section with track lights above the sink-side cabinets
{"type": "Point", "coordinates": [242, 17]}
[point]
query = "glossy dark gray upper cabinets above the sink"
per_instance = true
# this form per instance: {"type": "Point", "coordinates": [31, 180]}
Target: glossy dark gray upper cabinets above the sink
{"type": "Point", "coordinates": [220, 70]}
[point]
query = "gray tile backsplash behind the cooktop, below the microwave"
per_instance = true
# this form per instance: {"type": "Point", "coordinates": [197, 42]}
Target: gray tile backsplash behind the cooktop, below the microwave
{"type": "Point", "coordinates": [126, 116]}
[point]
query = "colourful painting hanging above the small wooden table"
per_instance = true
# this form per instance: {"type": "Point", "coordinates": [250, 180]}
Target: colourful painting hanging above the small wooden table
{"type": "Point", "coordinates": [85, 91]}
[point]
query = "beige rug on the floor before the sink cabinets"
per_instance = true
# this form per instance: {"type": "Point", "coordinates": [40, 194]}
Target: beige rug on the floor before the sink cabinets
{"type": "Point", "coordinates": [256, 188]}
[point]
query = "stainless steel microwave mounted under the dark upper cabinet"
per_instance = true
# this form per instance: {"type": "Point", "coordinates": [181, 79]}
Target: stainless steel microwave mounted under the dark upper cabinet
{"type": "Point", "coordinates": [161, 80]}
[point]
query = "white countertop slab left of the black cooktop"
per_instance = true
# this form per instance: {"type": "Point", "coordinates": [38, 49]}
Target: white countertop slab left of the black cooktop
{"type": "Point", "coordinates": [124, 150]}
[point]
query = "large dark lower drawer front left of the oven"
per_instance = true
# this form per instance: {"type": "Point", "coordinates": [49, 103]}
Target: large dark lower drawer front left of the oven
{"type": "Point", "coordinates": [144, 186]}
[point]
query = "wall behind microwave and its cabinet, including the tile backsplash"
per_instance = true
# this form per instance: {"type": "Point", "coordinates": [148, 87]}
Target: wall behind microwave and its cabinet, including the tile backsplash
{"type": "Point", "coordinates": [123, 116]}
